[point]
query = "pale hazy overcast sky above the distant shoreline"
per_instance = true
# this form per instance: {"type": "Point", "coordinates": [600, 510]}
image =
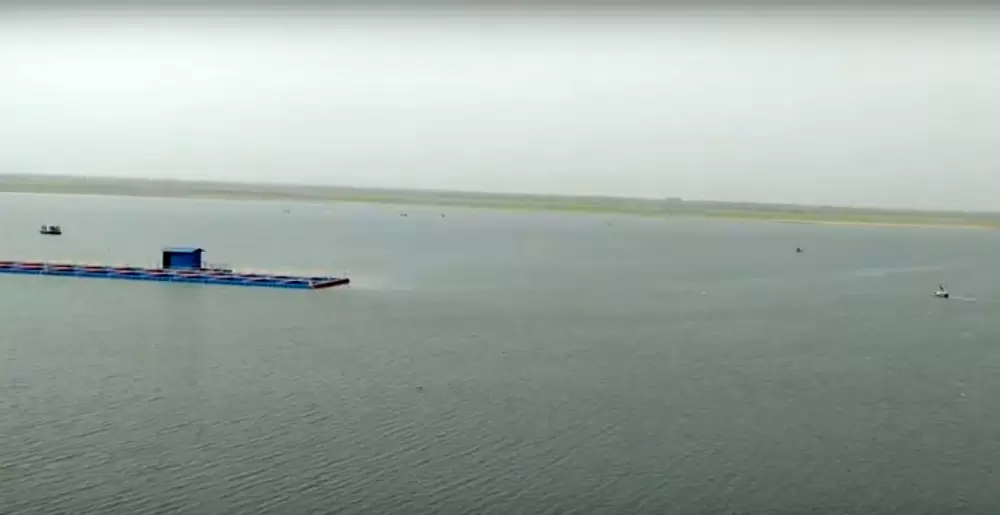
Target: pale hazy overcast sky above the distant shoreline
{"type": "Point", "coordinates": [854, 108]}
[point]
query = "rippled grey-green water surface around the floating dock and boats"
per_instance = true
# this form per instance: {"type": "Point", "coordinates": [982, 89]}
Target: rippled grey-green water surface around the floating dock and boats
{"type": "Point", "coordinates": [497, 363]}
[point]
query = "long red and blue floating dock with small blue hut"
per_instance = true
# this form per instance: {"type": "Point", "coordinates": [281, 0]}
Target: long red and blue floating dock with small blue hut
{"type": "Point", "coordinates": [180, 265]}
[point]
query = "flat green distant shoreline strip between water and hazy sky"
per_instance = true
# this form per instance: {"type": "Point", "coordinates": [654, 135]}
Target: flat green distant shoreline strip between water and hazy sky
{"type": "Point", "coordinates": [192, 190]}
